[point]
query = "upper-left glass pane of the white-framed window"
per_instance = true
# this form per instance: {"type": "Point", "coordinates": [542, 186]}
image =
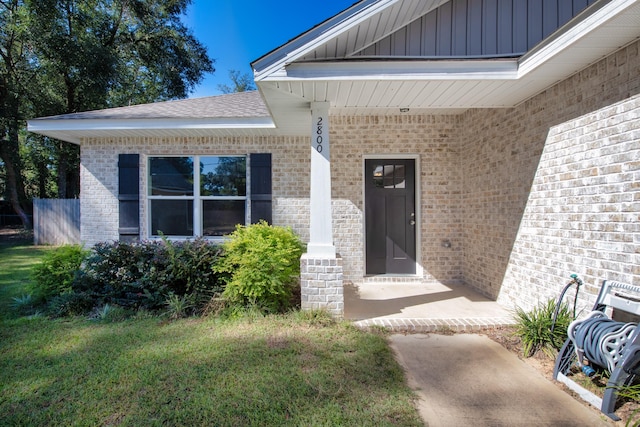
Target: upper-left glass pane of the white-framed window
{"type": "Point", "coordinates": [171, 176]}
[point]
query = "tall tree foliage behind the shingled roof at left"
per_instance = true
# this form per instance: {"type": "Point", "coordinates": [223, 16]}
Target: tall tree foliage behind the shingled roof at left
{"type": "Point", "coordinates": [66, 56]}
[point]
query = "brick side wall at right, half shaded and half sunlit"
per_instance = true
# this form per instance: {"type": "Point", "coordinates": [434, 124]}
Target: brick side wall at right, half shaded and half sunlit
{"type": "Point", "coordinates": [503, 153]}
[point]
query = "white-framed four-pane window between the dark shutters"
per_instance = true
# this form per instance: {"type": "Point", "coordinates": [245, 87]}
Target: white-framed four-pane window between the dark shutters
{"type": "Point", "coordinates": [197, 195]}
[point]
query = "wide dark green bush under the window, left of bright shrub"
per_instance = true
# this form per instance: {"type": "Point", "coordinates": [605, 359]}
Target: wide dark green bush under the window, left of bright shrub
{"type": "Point", "coordinates": [143, 275]}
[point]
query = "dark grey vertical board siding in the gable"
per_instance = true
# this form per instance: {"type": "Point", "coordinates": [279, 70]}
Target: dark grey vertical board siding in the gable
{"type": "Point", "coordinates": [471, 28]}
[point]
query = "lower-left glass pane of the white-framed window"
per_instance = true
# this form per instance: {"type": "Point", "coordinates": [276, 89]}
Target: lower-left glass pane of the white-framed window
{"type": "Point", "coordinates": [172, 217]}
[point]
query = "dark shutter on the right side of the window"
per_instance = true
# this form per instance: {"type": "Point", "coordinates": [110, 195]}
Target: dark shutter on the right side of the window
{"type": "Point", "coordinates": [260, 187]}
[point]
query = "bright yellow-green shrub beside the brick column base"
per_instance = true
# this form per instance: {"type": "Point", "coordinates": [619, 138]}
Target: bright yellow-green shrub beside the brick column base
{"type": "Point", "coordinates": [261, 266]}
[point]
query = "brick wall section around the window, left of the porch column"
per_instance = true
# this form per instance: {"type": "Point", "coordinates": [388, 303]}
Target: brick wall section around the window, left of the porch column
{"type": "Point", "coordinates": [99, 177]}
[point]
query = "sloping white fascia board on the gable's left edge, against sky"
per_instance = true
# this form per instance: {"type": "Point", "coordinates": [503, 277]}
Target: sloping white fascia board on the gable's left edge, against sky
{"type": "Point", "coordinates": [279, 58]}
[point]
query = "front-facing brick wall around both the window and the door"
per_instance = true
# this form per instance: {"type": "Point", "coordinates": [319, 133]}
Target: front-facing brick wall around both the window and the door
{"type": "Point", "coordinates": [433, 138]}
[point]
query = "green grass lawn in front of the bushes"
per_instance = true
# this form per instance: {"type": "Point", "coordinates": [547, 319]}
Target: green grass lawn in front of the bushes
{"type": "Point", "coordinates": [297, 369]}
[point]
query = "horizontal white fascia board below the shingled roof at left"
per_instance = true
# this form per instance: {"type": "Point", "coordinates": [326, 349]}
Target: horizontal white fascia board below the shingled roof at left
{"type": "Point", "coordinates": [44, 125]}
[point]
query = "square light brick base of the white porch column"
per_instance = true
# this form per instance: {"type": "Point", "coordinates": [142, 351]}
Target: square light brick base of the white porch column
{"type": "Point", "coordinates": [321, 284]}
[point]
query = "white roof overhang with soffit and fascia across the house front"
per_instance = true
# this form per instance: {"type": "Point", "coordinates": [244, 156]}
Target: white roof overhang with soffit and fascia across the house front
{"type": "Point", "coordinates": [288, 83]}
